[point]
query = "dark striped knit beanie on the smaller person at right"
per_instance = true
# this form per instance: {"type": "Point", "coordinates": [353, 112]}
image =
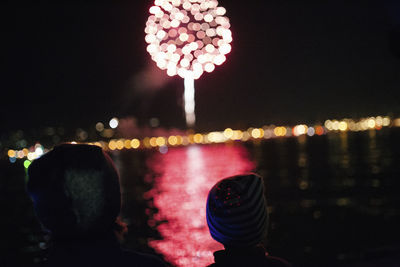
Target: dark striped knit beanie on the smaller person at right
{"type": "Point", "coordinates": [236, 211]}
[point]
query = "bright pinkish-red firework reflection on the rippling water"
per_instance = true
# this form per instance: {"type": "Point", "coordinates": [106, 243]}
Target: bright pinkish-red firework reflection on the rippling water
{"type": "Point", "coordinates": [180, 193]}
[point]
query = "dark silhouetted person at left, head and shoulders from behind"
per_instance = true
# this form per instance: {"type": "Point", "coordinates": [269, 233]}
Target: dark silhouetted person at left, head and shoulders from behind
{"type": "Point", "coordinates": [76, 195]}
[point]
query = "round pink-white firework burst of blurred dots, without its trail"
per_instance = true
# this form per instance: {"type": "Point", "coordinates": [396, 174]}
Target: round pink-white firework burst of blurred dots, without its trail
{"type": "Point", "coordinates": [188, 36]}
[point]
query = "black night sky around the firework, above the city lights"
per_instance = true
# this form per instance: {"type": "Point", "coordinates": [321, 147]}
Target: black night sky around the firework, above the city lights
{"type": "Point", "coordinates": [74, 63]}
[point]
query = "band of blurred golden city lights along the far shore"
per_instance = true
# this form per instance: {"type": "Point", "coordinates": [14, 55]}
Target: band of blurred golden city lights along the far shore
{"type": "Point", "coordinates": [227, 135]}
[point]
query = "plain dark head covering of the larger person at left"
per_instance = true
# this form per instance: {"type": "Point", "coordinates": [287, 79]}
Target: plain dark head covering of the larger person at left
{"type": "Point", "coordinates": [75, 190]}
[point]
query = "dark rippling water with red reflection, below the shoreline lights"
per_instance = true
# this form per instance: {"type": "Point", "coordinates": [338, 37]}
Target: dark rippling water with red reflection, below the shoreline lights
{"type": "Point", "coordinates": [333, 199]}
